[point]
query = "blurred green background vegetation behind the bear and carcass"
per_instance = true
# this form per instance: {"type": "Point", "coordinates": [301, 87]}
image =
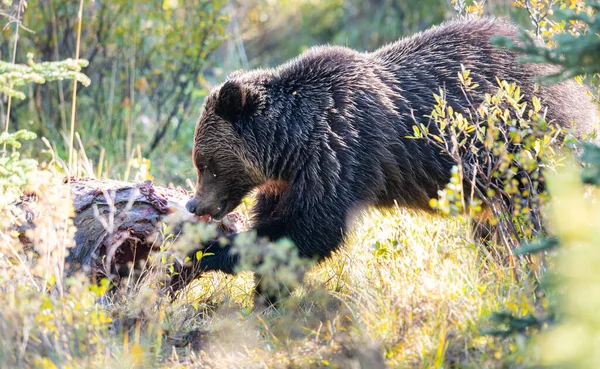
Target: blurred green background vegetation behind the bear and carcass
{"type": "Point", "coordinates": [151, 63]}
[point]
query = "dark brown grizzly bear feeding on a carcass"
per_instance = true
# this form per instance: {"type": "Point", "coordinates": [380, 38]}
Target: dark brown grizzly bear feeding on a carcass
{"type": "Point", "coordinates": [327, 133]}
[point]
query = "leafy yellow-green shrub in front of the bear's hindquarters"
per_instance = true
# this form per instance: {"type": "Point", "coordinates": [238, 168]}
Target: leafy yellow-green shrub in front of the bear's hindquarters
{"type": "Point", "coordinates": [498, 149]}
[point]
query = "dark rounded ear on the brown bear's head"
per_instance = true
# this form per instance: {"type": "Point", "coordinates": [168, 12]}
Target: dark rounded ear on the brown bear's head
{"type": "Point", "coordinates": [236, 101]}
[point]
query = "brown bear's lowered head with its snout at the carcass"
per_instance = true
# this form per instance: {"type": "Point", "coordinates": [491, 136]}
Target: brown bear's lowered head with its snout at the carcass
{"type": "Point", "coordinates": [226, 162]}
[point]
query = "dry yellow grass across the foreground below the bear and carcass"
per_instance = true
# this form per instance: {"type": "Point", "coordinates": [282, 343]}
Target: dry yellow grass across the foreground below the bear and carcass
{"type": "Point", "coordinates": [407, 291]}
